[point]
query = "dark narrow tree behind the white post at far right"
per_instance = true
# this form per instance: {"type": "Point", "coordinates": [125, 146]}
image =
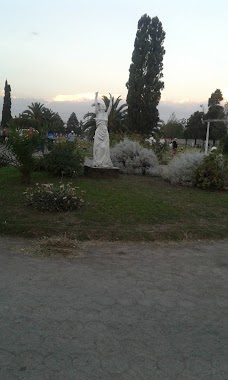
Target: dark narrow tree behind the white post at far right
{"type": "Point", "coordinates": [216, 111]}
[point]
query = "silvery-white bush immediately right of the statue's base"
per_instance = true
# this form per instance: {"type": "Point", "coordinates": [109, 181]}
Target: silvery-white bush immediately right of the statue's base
{"type": "Point", "coordinates": [131, 158]}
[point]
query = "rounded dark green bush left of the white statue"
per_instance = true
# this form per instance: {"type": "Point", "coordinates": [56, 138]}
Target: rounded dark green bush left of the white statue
{"type": "Point", "coordinates": [64, 159]}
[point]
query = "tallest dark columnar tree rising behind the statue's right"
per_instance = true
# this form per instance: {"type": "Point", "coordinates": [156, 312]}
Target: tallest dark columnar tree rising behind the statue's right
{"type": "Point", "coordinates": [144, 84]}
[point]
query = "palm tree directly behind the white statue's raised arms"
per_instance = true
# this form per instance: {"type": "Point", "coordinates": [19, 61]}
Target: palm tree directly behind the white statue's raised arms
{"type": "Point", "coordinates": [116, 121]}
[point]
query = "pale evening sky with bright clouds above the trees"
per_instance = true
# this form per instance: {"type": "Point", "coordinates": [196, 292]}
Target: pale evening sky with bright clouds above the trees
{"type": "Point", "coordinates": [61, 52]}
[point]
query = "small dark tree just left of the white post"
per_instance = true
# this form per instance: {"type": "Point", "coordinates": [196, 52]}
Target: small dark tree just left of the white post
{"type": "Point", "coordinates": [195, 128]}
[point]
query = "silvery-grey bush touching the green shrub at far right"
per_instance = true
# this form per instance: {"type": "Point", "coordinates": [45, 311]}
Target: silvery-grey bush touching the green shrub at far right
{"type": "Point", "coordinates": [181, 169]}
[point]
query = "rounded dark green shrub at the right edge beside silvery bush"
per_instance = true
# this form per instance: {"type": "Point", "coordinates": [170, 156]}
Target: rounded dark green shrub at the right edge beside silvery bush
{"type": "Point", "coordinates": [212, 173]}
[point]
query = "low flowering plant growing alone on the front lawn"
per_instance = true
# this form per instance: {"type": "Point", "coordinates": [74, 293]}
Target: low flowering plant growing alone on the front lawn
{"type": "Point", "coordinates": [47, 197]}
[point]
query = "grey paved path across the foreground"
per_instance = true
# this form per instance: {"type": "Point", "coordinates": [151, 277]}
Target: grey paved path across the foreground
{"type": "Point", "coordinates": [136, 311]}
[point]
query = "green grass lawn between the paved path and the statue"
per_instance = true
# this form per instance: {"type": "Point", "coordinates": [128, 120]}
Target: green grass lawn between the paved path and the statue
{"type": "Point", "coordinates": [131, 208]}
